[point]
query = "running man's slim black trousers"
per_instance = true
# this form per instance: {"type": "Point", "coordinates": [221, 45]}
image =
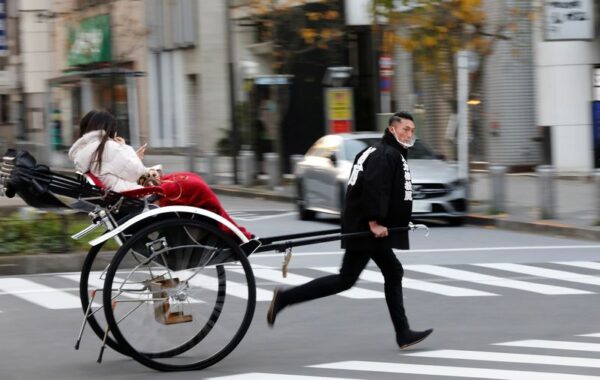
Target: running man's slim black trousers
{"type": "Point", "coordinates": [353, 264]}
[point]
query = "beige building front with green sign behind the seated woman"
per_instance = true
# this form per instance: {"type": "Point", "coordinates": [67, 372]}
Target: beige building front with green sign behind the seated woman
{"type": "Point", "coordinates": [99, 57]}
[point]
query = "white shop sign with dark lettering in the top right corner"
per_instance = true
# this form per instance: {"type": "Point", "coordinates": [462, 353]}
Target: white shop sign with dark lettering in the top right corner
{"type": "Point", "coordinates": [569, 20]}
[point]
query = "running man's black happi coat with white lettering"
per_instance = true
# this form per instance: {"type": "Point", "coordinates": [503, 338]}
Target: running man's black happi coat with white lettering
{"type": "Point", "coordinates": [381, 191]}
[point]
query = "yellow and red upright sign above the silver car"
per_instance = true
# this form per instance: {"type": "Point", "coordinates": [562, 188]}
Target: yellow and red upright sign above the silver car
{"type": "Point", "coordinates": [340, 109]}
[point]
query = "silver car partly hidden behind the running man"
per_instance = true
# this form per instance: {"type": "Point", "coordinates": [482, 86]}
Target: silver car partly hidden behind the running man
{"type": "Point", "coordinates": [323, 174]}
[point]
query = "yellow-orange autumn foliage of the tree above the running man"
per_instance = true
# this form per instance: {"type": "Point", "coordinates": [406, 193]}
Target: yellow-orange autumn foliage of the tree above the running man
{"type": "Point", "coordinates": [435, 30]}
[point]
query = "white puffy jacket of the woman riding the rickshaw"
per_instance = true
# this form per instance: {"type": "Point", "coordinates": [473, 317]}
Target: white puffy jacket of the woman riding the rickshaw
{"type": "Point", "coordinates": [121, 167]}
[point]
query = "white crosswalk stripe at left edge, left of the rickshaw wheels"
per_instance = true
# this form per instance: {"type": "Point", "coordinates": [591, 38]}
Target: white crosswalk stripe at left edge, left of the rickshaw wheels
{"type": "Point", "coordinates": [39, 294]}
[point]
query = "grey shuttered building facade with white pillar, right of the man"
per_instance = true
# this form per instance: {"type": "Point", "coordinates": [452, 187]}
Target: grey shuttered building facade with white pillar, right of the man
{"type": "Point", "coordinates": [539, 92]}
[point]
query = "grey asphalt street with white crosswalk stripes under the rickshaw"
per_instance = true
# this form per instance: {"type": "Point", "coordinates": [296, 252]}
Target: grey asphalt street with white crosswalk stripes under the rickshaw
{"type": "Point", "coordinates": [504, 305]}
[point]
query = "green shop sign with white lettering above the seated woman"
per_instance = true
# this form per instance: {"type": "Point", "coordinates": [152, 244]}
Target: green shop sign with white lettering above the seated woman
{"type": "Point", "coordinates": [90, 41]}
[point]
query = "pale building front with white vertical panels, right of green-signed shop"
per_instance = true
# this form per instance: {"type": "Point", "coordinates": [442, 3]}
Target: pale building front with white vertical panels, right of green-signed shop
{"type": "Point", "coordinates": [188, 73]}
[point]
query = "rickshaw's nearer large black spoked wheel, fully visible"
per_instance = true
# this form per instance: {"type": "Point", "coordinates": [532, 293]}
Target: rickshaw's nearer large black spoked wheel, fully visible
{"type": "Point", "coordinates": [165, 292]}
